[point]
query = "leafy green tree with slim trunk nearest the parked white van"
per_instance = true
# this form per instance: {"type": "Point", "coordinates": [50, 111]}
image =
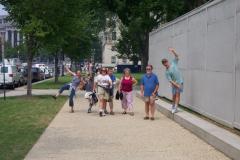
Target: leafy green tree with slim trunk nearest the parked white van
{"type": "Point", "coordinates": [51, 24]}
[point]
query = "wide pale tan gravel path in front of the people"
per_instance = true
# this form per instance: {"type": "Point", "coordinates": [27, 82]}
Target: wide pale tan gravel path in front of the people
{"type": "Point", "coordinates": [82, 136]}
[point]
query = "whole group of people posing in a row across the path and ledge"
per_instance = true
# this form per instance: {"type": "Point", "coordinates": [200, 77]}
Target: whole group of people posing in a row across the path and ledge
{"type": "Point", "coordinates": [105, 82]}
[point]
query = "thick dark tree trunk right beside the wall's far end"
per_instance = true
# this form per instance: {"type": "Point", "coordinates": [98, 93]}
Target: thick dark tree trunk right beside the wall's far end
{"type": "Point", "coordinates": [145, 53]}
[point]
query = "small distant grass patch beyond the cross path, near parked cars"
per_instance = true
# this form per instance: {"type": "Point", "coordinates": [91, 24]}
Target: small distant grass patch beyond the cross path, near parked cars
{"type": "Point", "coordinates": [50, 84]}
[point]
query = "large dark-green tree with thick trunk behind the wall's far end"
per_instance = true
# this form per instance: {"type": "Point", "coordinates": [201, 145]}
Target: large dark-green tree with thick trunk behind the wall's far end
{"type": "Point", "coordinates": [140, 17]}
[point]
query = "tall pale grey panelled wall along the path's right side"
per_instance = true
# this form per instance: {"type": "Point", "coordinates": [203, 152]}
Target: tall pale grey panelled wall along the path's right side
{"type": "Point", "coordinates": [208, 41]}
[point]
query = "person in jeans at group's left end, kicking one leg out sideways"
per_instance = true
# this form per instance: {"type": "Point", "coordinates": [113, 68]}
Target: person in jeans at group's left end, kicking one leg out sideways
{"type": "Point", "coordinates": [72, 86]}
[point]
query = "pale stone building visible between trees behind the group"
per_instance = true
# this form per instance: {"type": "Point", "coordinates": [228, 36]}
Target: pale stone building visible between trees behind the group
{"type": "Point", "coordinates": [109, 52]}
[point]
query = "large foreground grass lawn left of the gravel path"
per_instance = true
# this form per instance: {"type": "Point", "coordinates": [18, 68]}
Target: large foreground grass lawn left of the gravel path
{"type": "Point", "coordinates": [22, 121]}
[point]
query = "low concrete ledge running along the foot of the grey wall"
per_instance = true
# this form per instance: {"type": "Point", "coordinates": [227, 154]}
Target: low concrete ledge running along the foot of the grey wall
{"type": "Point", "coordinates": [219, 138]}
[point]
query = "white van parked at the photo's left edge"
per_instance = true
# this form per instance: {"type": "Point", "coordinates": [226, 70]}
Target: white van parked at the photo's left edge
{"type": "Point", "coordinates": [12, 76]}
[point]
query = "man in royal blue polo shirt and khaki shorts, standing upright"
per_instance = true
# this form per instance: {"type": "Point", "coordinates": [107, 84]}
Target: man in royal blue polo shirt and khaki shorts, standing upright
{"type": "Point", "coordinates": [149, 89]}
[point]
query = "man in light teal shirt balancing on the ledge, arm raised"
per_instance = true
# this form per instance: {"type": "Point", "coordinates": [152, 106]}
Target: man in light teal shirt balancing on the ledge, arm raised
{"type": "Point", "coordinates": [174, 76]}
